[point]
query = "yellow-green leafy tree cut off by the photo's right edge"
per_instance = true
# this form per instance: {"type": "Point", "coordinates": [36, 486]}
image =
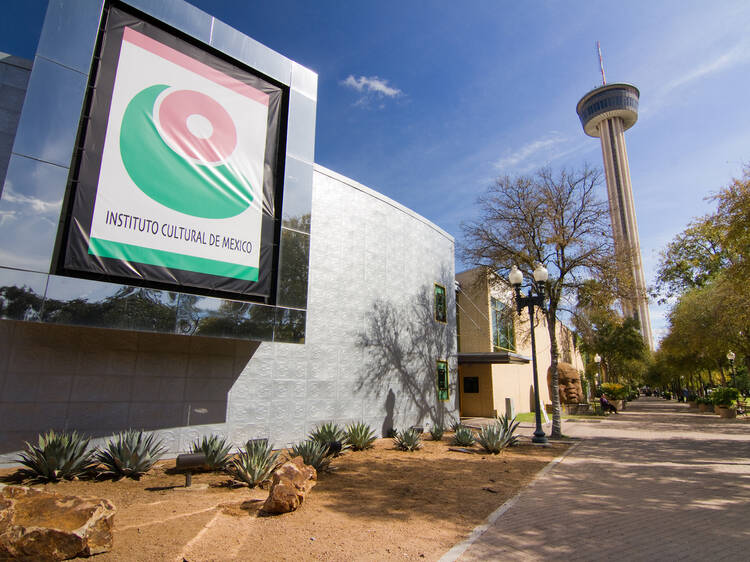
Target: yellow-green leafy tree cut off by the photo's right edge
{"type": "Point", "coordinates": [705, 271]}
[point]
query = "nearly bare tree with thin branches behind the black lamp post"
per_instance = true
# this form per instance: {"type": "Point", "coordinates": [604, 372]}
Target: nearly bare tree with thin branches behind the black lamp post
{"type": "Point", "coordinates": [553, 218]}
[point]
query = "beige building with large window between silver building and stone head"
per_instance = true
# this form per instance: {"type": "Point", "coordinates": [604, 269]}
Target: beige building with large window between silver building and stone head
{"type": "Point", "coordinates": [494, 344]}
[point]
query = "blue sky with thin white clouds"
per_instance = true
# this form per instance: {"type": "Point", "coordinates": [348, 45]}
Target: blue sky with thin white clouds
{"type": "Point", "coordinates": [428, 101]}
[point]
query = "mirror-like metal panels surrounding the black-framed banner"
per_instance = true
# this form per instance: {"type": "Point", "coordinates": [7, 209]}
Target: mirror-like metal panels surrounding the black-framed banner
{"type": "Point", "coordinates": [39, 165]}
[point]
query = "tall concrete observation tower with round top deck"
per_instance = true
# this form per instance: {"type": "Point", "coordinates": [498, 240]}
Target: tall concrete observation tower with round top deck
{"type": "Point", "coordinates": [607, 112]}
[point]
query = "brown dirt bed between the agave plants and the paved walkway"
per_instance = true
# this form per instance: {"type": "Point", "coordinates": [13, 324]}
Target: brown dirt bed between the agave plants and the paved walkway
{"type": "Point", "coordinates": [380, 504]}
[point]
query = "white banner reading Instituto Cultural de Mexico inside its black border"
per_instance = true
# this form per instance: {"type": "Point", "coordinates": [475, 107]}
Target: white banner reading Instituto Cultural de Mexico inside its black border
{"type": "Point", "coordinates": [181, 175]}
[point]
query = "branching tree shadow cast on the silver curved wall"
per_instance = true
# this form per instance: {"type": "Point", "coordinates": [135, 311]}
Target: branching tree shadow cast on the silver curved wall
{"type": "Point", "coordinates": [402, 345]}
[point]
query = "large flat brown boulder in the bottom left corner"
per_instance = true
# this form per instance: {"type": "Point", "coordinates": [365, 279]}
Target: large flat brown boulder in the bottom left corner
{"type": "Point", "coordinates": [38, 525]}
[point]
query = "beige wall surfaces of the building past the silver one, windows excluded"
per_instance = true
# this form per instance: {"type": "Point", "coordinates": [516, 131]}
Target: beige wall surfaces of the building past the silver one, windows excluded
{"type": "Point", "coordinates": [508, 381]}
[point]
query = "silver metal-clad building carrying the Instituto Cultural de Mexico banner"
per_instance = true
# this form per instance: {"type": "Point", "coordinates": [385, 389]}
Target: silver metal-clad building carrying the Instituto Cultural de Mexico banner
{"type": "Point", "coordinates": [125, 305]}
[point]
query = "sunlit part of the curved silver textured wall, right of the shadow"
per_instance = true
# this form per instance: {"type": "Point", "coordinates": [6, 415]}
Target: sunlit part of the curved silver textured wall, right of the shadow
{"type": "Point", "coordinates": [364, 248]}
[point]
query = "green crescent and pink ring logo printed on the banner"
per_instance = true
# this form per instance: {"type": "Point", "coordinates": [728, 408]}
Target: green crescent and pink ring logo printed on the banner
{"type": "Point", "coordinates": [177, 147]}
